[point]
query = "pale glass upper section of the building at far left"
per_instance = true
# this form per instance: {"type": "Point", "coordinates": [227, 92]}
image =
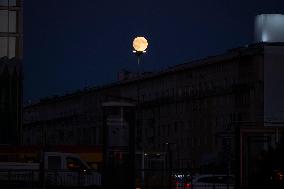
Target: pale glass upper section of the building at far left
{"type": "Point", "coordinates": [10, 30]}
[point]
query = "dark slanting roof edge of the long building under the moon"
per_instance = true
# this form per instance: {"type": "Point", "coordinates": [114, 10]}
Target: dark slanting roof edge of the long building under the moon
{"type": "Point", "coordinates": [252, 49]}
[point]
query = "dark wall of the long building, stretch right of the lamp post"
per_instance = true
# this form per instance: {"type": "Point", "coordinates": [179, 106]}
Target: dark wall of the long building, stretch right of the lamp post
{"type": "Point", "coordinates": [195, 109]}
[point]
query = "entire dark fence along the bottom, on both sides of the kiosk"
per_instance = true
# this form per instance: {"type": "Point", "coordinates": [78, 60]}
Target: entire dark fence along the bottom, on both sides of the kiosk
{"type": "Point", "coordinates": [145, 179]}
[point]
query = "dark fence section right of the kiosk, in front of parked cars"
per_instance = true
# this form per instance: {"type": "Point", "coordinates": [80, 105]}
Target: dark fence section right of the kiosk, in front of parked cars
{"type": "Point", "coordinates": [182, 179]}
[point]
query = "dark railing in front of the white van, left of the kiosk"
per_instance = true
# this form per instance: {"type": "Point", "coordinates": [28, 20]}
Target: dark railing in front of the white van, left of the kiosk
{"type": "Point", "coordinates": [35, 179]}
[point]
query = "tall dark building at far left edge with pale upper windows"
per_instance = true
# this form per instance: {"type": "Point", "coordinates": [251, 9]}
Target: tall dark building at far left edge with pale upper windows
{"type": "Point", "coordinates": [10, 71]}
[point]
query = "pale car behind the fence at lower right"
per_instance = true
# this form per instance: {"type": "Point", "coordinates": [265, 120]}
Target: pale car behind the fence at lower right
{"type": "Point", "coordinates": [216, 181]}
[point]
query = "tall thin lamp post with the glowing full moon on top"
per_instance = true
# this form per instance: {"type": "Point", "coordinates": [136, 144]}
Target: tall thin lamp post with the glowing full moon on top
{"type": "Point", "coordinates": [140, 45]}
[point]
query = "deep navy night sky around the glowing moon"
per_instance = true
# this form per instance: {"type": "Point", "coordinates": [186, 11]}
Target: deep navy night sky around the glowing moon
{"type": "Point", "coordinates": [72, 44]}
